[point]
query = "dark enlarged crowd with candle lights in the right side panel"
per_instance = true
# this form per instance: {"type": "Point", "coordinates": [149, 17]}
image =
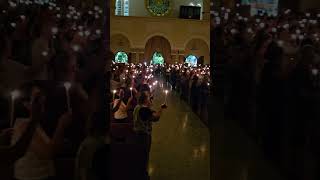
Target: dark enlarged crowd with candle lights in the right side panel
{"type": "Point", "coordinates": [271, 81]}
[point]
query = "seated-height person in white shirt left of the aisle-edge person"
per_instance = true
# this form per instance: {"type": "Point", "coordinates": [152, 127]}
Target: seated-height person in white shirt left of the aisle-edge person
{"type": "Point", "coordinates": [120, 108]}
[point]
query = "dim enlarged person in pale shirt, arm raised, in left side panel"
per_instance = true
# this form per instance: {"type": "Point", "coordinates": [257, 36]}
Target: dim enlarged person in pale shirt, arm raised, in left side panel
{"type": "Point", "coordinates": [38, 163]}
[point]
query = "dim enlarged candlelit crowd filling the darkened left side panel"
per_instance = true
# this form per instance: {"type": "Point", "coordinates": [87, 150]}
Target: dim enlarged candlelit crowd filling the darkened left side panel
{"type": "Point", "coordinates": [52, 90]}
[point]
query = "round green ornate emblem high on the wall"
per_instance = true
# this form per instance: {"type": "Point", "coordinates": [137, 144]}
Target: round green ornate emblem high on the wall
{"type": "Point", "coordinates": [159, 7]}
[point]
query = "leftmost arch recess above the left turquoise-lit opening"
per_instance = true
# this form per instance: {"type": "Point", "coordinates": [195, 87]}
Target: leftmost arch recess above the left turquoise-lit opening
{"type": "Point", "coordinates": [120, 42]}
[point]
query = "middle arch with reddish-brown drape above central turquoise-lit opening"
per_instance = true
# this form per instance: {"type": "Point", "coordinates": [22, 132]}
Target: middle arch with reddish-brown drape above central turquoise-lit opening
{"type": "Point", "coordinates": [158, 44]}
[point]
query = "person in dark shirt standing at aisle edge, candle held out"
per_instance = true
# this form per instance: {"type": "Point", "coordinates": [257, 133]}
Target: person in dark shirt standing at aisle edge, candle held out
{"type": "Point", "coordinates": [143, 117]}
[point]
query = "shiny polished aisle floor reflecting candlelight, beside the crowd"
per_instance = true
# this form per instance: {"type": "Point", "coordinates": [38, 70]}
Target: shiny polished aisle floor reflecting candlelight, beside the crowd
{"type": "Point", "coordinates": [180, 142]}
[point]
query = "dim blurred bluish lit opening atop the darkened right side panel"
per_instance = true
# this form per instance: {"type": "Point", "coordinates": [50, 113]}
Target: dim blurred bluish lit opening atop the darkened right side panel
{"type": "Point", "coordinates": [262, 6]}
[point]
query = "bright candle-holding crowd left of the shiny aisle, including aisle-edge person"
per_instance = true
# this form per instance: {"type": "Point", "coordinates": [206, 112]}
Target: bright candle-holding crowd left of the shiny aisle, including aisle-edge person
{"type": "Point", "coordinates": [133, 87]}
